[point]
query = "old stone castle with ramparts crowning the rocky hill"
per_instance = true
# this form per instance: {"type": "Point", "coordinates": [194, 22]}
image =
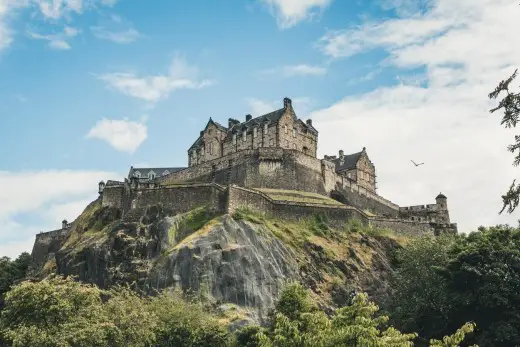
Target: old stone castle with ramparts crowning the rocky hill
{"type": "Point", "coordinates": [269, 164]}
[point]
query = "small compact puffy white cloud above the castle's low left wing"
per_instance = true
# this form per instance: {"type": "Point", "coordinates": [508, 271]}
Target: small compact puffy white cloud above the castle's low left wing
{"type": "Point", "coordinates": [123, 135]}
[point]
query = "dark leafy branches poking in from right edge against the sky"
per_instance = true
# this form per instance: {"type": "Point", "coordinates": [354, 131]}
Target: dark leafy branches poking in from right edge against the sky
{"type": "Point", "coordinates": [510, 105]}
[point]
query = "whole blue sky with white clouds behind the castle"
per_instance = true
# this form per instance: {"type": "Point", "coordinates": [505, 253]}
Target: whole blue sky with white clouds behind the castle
{"type": "Point", "coordinates": [90, 87]}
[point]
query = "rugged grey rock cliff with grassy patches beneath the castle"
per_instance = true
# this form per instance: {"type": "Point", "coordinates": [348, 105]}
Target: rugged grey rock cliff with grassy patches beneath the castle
{"type": "Point", "coordinates": [243, 258]}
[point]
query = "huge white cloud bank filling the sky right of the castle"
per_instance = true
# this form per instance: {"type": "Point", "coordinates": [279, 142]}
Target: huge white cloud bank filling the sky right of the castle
{"type": "Point", "coordinates": [465, 49]}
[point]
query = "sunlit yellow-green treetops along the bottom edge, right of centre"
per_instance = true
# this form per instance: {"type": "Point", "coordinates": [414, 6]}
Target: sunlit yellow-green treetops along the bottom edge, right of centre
{"type": "Point", "coordinates": [355, 325]}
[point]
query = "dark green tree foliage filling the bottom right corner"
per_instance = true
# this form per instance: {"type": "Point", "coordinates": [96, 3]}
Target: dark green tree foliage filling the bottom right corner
{"type": "Point", "coordinates": [441, 283]}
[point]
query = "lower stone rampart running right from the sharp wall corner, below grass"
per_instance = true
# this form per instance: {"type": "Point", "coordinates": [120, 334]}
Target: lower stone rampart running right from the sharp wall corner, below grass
{"type": "Point", "coordinates": [259, 202]}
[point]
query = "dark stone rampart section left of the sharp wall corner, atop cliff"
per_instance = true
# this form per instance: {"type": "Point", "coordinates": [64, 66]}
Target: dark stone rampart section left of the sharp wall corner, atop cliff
{"type": "Point", "coordinates": [182, 198]}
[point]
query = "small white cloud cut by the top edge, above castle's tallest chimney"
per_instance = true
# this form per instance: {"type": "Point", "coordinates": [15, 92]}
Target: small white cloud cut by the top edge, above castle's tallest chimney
{"type": "Point", "coordinates": [289, 12]}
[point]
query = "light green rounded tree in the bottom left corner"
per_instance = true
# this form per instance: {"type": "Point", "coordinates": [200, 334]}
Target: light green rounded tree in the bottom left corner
{"type": "Point", "coordinates": [61, 312]}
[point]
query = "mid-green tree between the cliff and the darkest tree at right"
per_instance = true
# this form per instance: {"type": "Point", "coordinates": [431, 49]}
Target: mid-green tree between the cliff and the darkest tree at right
{"type": "Point", "coordinates": [419, 301]}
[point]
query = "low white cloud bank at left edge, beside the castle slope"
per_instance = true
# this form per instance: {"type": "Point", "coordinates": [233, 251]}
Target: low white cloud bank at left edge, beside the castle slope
{"type": "Point", "coordinates": [43, 198]}
